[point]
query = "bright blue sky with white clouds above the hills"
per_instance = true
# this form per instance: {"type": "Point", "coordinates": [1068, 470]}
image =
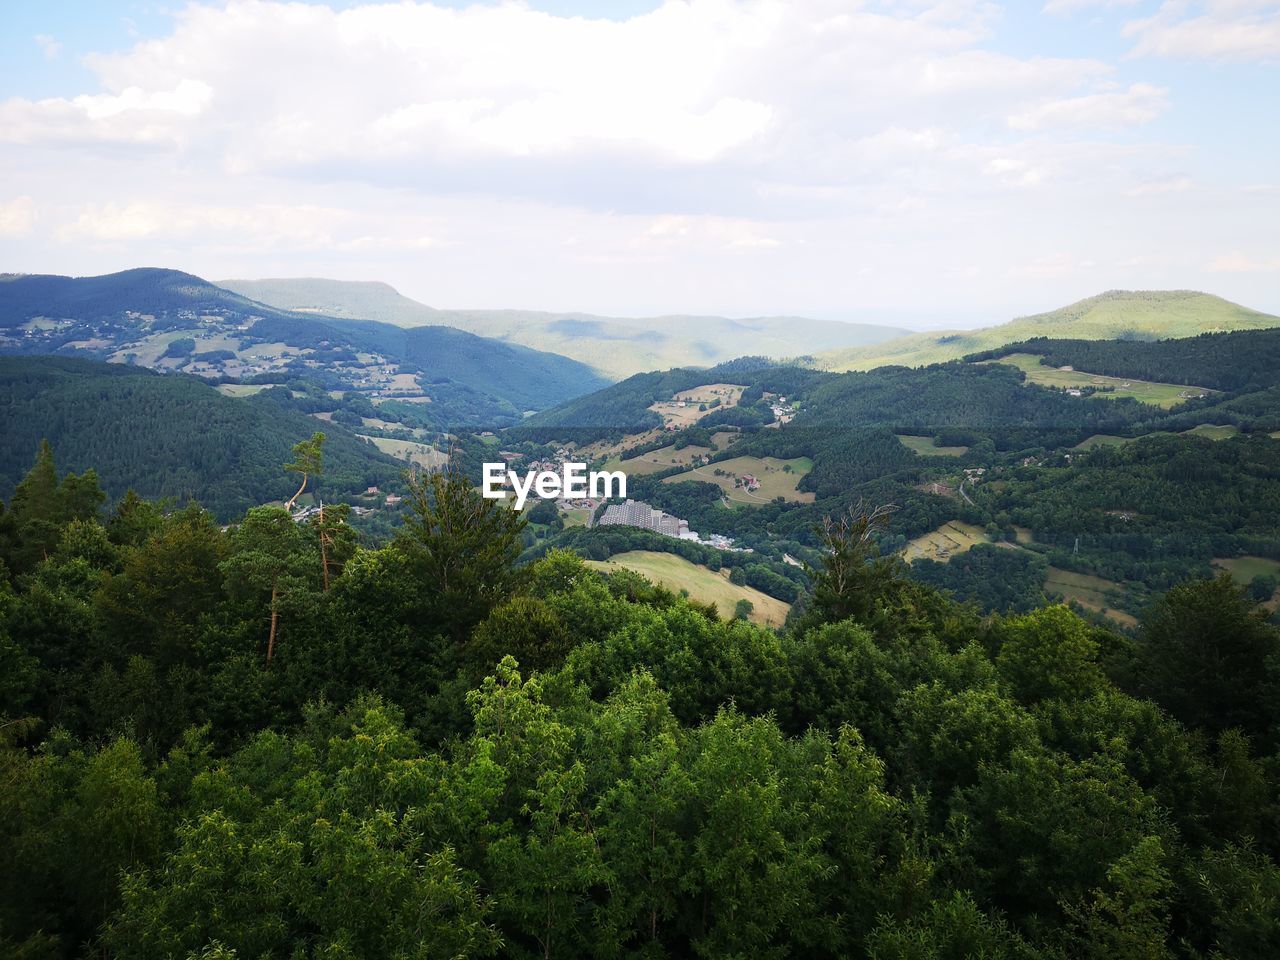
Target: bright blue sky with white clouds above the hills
{"type": "Point", "coordinates": [927, 163]}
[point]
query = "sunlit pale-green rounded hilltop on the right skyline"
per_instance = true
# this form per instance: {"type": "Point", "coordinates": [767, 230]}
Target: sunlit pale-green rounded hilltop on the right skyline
{"type": "Point", "coordinates": [1119, 316]}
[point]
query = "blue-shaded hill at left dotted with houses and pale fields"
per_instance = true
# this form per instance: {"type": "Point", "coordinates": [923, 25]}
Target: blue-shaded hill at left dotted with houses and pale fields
{"type": "Point", "coordinates": [172, 321]}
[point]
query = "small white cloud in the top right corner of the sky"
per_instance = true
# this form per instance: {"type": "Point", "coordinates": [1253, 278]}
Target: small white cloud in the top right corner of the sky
{"type": "Point", "coordinates": [1210, 30]}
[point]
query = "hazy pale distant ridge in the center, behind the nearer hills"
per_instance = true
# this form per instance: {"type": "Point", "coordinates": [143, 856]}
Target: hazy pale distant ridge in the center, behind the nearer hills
{"type": "Point", "coordinates": [616, 348]}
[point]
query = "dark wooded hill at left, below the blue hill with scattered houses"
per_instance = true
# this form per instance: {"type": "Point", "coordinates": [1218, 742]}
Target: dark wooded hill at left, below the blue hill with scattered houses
{"type": "Point", "coordinates": [168, 436]}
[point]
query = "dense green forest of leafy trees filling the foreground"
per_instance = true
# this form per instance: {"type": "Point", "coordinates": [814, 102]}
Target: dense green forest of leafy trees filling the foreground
{"type": "Point", "coordinates": [268, 742]}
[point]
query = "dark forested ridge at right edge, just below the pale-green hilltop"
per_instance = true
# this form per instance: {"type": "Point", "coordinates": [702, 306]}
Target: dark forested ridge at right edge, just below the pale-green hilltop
{"type": "Point", "coordinates": [1242, 360]}
